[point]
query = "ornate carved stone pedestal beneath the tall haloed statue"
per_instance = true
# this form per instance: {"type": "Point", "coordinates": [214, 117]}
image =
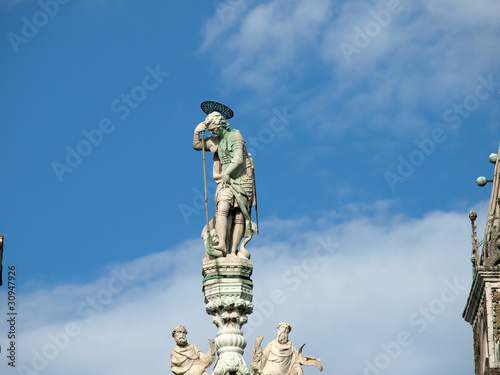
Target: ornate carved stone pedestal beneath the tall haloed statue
{"type": "Point", "coordinates": [228, 297]}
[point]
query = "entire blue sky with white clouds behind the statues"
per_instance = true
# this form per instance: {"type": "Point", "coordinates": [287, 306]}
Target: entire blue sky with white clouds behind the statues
{"type": "Point", "coordinates": [368, 121]}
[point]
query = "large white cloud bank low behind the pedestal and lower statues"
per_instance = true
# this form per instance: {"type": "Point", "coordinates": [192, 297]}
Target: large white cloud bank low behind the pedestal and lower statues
{"type": "Point", "coordinates": [345, 302]}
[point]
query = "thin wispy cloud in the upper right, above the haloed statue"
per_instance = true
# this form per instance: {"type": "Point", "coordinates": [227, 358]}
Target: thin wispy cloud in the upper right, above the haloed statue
{"type": "Point", "coordinates": [425, 59]}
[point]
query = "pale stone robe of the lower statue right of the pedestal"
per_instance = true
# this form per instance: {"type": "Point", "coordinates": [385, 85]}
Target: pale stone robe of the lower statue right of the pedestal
{"type": "Point", "coordinates": [280, 359]}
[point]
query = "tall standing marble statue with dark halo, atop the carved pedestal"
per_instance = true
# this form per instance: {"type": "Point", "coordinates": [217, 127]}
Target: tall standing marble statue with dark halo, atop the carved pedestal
{"type": "Point", "coordinates": [233, 172]}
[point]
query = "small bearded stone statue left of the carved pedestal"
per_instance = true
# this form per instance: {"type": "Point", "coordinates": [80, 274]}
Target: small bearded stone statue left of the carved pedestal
{"type": "Point", "coordinates": [188, 359]}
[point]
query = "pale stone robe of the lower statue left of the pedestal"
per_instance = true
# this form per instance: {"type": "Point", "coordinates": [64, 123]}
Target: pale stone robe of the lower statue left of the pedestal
{"type": "Point", "coordinates": [189, 360]}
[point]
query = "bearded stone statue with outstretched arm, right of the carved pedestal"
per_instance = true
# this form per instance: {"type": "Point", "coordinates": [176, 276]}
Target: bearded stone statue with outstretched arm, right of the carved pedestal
{"type": "Point", "coordinates": [280, 356]}
